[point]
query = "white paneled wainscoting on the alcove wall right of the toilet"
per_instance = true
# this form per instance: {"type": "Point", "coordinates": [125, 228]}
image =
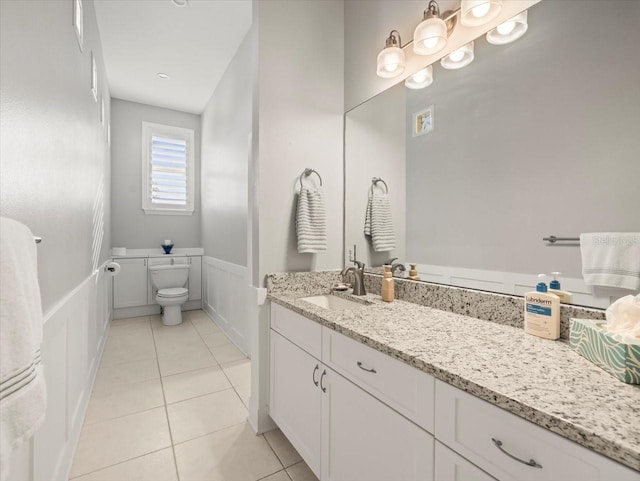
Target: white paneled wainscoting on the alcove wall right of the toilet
{"type": "Point", "coordinates": [225, 298]}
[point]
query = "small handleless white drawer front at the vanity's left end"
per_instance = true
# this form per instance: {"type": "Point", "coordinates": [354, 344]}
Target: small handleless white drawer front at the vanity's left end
{"type": "Point", "coordinates": [303, 332]}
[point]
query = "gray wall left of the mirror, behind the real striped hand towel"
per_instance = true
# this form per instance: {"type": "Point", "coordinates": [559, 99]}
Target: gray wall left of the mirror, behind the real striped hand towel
{"type": "Point", "coordinates": [300, 114]}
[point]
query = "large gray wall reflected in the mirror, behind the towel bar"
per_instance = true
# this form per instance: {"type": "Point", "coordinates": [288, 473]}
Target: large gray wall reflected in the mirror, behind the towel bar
{"type": "Point", "coordinates": [534, 138]}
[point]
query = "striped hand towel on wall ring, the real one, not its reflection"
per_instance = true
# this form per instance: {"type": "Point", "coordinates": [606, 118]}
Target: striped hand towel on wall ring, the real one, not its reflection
{"type": "Point", "coordinates": [311, 221]}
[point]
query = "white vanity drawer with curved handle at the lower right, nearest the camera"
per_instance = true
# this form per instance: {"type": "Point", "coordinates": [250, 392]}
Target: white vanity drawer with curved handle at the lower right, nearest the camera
{"type": "Point", "coordinates": [469, 426]}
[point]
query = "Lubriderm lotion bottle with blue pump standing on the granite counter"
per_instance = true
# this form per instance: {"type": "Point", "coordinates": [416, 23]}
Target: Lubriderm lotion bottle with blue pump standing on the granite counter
{"type": "Point", "coordinates": [542, 312]}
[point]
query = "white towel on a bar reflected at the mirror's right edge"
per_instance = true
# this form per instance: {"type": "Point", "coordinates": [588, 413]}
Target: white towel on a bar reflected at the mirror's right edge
{"type": "Point", "coordinates": [611, 259]}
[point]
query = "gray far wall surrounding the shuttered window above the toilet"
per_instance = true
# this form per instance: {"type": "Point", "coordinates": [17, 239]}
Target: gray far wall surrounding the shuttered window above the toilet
{"type": "Point", "coordinates": [131, 227]}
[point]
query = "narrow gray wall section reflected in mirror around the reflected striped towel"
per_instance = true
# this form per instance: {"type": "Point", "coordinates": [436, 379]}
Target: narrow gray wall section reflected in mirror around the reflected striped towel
{"type": "Point", "coordinates": [375, 147]}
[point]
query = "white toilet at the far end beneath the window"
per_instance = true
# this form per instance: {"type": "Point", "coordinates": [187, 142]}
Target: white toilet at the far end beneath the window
{"type": "Point", "coordinates": [170, 281]}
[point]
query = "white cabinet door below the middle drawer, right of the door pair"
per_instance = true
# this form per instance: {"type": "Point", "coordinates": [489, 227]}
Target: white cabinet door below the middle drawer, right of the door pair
{"type": "Point", "coordinates": [365, 440]}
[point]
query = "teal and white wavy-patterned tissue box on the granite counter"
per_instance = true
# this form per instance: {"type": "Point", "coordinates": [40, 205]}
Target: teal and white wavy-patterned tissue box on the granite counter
{"type": "Point", "coordinates": [618, 355]}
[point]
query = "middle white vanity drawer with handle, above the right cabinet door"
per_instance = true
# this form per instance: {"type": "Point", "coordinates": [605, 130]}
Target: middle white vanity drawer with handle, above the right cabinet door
{"type": "Point", "coordinates": [402, 387]}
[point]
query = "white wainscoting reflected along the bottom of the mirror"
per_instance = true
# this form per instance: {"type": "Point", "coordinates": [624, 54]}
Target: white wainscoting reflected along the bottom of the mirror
{"type": "Point", "coordinates": [514, 283]}
